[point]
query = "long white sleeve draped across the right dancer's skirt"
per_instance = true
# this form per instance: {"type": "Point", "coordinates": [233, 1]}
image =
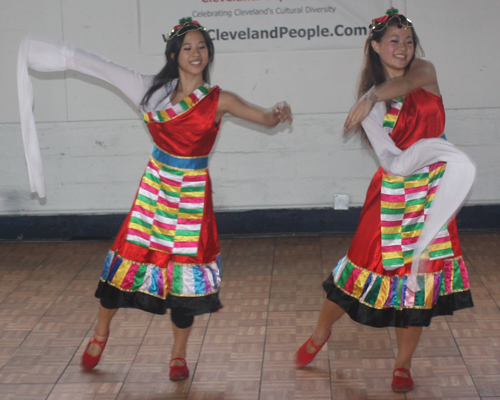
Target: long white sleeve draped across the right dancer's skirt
{"type": "Point", "coordinates": [452, 191]}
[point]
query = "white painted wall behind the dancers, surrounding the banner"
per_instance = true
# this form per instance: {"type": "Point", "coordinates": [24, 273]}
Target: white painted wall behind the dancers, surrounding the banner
{"type": "Point", "coordinates": [95, 147]}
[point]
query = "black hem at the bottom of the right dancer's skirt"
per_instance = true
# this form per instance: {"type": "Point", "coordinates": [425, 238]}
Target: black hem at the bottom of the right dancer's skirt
{"type": "Point", "coordinates": [400, 318]}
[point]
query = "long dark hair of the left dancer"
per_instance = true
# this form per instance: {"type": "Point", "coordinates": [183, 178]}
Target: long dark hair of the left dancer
{"type": "Point", "coordinates": [170, 71]}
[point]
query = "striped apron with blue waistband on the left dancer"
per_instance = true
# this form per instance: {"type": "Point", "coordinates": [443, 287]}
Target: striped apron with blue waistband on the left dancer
{"type": "Point", "coordinates": [167, 214]}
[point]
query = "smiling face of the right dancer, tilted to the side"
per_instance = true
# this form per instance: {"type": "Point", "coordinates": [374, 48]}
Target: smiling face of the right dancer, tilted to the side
{"type": "Point", "coordinates": [396, 49]}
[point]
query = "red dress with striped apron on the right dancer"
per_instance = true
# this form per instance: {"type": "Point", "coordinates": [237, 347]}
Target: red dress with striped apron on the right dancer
{"type": "Point", "coordinates": [369, 283]}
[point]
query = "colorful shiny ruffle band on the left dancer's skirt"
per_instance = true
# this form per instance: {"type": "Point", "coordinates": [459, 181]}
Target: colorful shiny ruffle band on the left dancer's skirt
{"type": "Point", "coordinates": [185, 280]}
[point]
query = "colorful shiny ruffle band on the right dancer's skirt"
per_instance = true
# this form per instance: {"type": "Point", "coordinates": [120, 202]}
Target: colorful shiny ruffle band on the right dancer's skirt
{"type": "Point", "coordinates": [382, 292]}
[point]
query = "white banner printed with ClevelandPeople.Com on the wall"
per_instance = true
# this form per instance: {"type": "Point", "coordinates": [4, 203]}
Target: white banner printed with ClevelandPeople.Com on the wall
{"type": "Point", "coordinates": [238, 26]}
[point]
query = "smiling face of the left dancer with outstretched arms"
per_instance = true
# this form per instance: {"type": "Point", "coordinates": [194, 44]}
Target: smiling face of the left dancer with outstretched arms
{"type": "Point", "coordinates": [193, 57]}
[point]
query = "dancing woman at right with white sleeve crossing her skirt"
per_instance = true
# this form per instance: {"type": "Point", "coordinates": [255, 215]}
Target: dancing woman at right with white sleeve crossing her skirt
{"type": "Point", "coordinates": [404, 265]}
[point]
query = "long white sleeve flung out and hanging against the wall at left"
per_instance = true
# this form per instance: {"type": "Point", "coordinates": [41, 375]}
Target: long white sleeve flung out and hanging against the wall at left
{"type": "Point", "coordinates": [46, 56]}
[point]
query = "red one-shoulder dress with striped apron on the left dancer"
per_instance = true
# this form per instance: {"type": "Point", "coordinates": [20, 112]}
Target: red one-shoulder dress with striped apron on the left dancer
{"type": "Point", "coordinates": [166, 254]}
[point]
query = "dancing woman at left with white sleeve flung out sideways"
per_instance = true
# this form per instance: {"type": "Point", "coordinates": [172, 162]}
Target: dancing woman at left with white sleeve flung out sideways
{"type": "Point", "coordinates": [166, 254]}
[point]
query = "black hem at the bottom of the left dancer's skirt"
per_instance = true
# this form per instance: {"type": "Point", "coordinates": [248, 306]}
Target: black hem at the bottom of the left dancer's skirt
{"type": "Point", "coordinates": [111, 298]}
